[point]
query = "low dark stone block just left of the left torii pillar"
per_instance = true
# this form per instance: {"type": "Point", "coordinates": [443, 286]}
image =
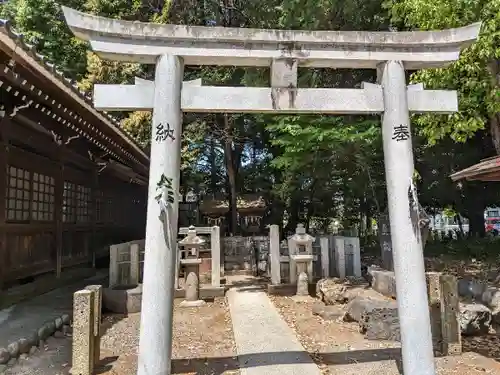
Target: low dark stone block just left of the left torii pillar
{"type": "Point", "coordinates": [122, 299]}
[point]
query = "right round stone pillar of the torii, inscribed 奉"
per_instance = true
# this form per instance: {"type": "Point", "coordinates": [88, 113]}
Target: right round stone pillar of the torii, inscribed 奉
{"type": "Point", "coordinates": [413, 304]}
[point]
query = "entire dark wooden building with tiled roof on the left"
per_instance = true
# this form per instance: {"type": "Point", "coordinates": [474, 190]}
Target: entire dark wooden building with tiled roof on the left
{"type": "Point", "coordinates": [73, 182]}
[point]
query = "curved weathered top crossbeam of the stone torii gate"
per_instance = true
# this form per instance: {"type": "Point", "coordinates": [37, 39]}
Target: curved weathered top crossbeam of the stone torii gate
{"type": "Point", "coordinates": [197, 45]}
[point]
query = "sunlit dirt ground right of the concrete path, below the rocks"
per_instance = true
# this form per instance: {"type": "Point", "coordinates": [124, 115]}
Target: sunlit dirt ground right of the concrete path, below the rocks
{"type": "Point", "coordinates": [339, 349]}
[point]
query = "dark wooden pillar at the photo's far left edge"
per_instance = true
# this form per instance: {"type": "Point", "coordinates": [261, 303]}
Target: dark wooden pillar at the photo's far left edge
{"type": "Point", "coordinates": [4, 147]}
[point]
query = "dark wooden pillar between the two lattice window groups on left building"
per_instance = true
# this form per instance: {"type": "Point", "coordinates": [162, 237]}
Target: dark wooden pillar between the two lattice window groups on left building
{"type": "Point", "coordinates": [58, 209]}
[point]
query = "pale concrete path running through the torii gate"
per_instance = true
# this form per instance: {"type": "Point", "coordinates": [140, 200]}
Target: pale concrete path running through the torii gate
{"type": "Point", "coordinates": [260, 333]}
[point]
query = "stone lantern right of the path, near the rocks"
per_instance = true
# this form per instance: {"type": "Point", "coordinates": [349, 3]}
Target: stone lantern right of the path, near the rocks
{"type": "Point", "coordinates": [301, 259]}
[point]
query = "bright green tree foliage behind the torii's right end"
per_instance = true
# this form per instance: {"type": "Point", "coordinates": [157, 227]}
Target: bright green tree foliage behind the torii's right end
{"type": "Point", "coordinates": [475, 75]}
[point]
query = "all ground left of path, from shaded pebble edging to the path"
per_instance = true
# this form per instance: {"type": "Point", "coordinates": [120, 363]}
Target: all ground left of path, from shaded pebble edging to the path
{"type": "Point", "coordinates": [203, 344]}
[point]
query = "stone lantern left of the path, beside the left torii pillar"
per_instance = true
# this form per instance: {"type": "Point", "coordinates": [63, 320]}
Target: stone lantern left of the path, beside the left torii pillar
{"type": "Point", "coordinates": [191, 245]}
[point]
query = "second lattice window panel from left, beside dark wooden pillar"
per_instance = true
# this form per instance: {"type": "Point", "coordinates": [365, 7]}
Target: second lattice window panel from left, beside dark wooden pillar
{"type": "Point", "coordinates": [43, 197]}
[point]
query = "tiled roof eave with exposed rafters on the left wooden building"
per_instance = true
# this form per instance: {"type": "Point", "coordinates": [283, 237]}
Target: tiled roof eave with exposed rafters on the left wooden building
{"type": "Point", "coordinates": [34, 74]}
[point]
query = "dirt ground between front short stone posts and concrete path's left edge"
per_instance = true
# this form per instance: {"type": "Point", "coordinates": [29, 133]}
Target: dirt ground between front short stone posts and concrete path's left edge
{"type": "Point", "coordinates": [203, 342]}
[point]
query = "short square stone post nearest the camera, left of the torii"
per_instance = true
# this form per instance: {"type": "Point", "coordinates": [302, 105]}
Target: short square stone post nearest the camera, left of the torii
{"type": "Point", "coordinates": [83, 351]}
